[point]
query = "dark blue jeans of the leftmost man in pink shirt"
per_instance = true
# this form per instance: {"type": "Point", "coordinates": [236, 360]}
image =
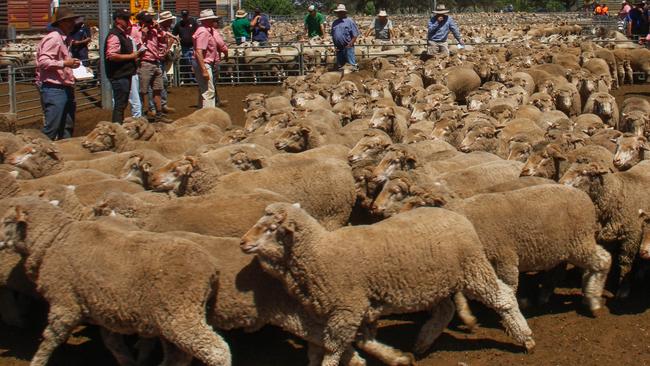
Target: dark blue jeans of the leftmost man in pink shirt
{"type": "Point", "coordinates": [58, 109]}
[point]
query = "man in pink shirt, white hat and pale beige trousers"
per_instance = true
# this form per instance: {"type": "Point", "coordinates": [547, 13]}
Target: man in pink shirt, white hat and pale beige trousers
{"type": "Point", "coordinates": [208, 47]}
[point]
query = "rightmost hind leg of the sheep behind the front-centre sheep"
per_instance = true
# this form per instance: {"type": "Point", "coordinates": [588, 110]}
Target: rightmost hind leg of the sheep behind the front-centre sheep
{"type": "Point", "coordinates": [596, 263]}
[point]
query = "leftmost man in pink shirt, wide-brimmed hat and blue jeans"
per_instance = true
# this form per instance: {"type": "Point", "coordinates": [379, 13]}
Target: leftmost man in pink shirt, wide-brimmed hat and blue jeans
{"type": "Point", "coordinates": [54, 78]}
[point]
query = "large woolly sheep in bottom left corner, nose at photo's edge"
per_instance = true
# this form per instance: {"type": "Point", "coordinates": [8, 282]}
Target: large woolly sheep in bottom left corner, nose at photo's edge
{"type": "Point", "coordinates": [98, 287]}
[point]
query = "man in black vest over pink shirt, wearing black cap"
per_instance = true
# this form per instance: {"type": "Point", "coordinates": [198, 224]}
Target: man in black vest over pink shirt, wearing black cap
{"type": "Point", "coordinates": [121, 62]}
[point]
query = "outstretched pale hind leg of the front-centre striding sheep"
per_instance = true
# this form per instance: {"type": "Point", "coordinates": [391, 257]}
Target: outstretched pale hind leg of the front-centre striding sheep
{"type": "Point", "coordinates": [483, 285]}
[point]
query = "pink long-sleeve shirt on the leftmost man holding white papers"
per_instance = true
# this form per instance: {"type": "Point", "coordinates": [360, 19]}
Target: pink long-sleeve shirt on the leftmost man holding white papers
{"type": "Point", "coordinates": [50, 54]}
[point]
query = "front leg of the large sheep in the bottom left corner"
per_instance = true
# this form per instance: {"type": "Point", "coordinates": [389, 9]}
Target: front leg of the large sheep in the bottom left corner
{"type": "Point", "coordinates": [61, 322]}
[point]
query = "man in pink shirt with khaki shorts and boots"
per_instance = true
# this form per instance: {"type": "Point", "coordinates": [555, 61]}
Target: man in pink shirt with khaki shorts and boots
{"type": "Point", "coordinates": [149, 70]}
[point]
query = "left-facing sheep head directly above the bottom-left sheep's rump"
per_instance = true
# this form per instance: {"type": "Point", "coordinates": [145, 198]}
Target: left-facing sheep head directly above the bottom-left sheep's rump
{"type": "Point", "coordinates": [173, 176]}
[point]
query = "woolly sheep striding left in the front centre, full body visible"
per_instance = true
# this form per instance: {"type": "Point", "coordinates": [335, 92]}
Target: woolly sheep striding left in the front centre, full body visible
{"type": "Point", "coordinates": [293, 247]}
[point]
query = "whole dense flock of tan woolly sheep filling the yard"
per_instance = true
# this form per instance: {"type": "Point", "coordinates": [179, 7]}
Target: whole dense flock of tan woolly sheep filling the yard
{"type": "Point", "coordinates": [410, 185]}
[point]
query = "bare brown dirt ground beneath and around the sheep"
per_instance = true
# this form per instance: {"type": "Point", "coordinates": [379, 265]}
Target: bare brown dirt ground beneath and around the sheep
{"type": "Point", "coordinates": [564, 333]}
